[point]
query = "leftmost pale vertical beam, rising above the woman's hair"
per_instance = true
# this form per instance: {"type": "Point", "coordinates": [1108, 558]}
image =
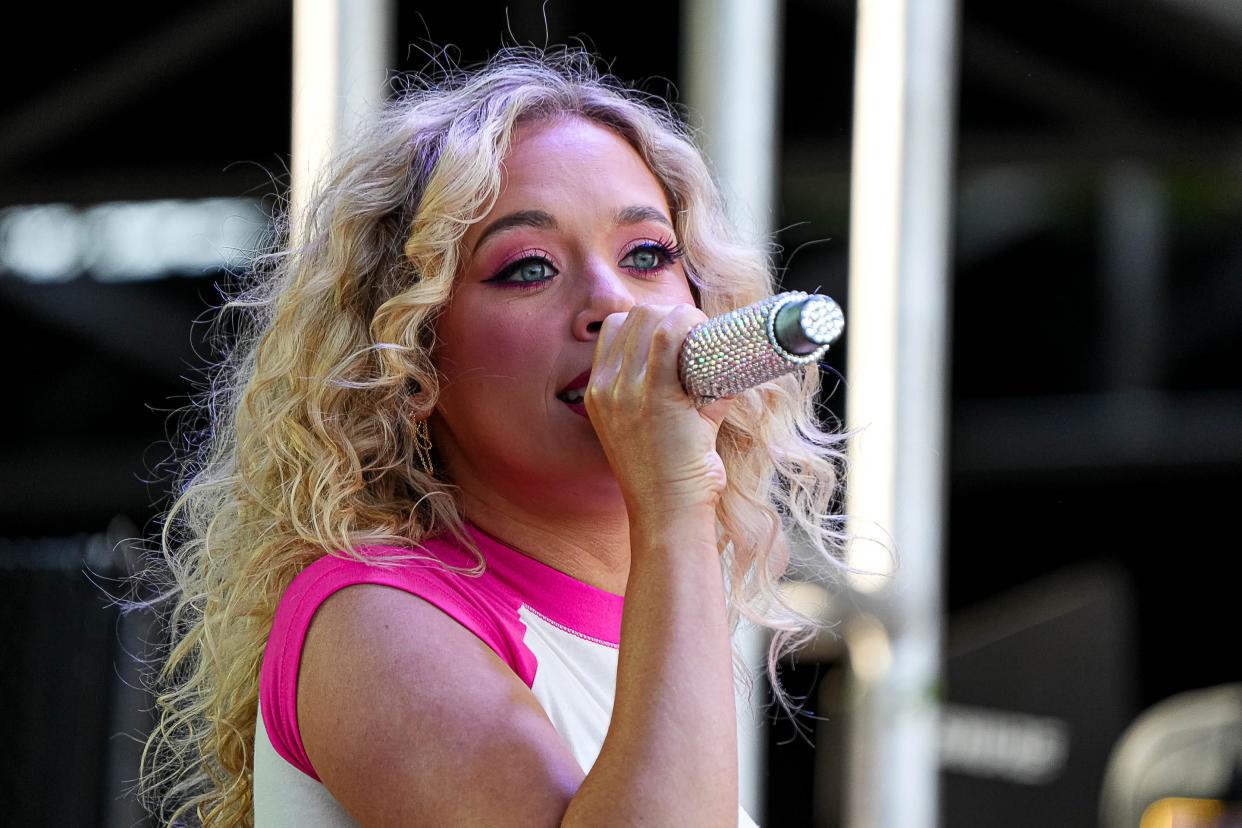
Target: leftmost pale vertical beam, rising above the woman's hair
{"type": "Point", "coordinates": [342, 52]}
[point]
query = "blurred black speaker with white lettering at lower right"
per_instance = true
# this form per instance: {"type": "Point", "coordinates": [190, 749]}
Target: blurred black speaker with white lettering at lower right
{"type": "Point", "coordinates": [1040, 685]}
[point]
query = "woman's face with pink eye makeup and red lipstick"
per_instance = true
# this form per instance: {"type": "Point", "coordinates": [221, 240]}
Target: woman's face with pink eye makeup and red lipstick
{"type": "Point", "coordinates": [582, 230]}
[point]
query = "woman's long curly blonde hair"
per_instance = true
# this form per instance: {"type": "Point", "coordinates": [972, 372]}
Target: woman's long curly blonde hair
{"type": "Point", "coordinates": [311, 445]}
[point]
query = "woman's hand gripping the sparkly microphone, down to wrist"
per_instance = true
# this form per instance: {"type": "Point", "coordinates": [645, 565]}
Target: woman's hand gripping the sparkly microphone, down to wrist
{"type": "Point", "coordinates": [661, 448]}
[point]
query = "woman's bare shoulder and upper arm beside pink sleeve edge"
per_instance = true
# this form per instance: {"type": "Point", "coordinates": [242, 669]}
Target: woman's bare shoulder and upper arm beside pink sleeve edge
{"type": "Point", "coordinates": [410, 719]}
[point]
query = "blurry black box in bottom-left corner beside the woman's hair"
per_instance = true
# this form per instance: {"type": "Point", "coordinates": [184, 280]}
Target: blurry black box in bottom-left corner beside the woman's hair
{"type": "Point", "coordinates": [70, 686]}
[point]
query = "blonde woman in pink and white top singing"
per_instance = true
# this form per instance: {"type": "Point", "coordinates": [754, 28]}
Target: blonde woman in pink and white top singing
{"type": "Point", "coordinates": [417, 582]}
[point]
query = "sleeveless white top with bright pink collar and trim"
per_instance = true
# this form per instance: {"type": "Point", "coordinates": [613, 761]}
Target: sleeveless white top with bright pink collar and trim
{"type": "Point", "coordinates": [557, 634]}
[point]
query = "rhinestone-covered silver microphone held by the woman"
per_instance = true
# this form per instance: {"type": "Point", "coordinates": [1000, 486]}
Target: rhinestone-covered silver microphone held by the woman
{"type": "Point", "coordinates": [762, 342]}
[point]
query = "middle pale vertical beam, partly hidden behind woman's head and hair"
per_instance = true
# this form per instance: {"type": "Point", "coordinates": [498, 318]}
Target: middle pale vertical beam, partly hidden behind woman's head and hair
{"type": "Point", "coordinates": [731, 74]}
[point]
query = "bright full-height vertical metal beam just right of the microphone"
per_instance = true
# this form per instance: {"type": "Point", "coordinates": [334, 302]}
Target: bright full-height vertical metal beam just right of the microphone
{"type": "Point", "coordinates": [899, 312]}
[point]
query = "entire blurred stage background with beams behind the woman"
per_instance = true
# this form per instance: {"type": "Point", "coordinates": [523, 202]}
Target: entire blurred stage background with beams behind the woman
{"type": "Point", "coordinates": [1043, 198]}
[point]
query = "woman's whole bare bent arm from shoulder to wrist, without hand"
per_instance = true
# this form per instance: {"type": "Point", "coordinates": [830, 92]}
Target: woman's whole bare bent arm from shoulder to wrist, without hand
{"type": "Point", "coordinates": [409, 719]}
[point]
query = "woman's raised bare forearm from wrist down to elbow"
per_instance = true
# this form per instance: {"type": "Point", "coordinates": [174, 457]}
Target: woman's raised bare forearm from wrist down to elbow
{"type": "Point", "coordinates": [670, 757]}
